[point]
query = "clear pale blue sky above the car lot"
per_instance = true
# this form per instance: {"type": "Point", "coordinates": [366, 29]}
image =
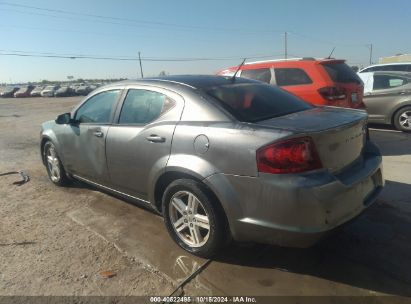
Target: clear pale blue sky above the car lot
{"type": "Point", "coordinates": [227, 30]}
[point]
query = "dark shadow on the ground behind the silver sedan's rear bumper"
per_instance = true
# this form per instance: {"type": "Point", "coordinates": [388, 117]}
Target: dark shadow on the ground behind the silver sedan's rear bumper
{"type": "Point", "coordinates": [372, 252]}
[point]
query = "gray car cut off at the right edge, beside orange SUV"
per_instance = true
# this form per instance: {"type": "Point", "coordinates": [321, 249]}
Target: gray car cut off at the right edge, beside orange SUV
{"type": "Point", "coordinates": [387, 97]}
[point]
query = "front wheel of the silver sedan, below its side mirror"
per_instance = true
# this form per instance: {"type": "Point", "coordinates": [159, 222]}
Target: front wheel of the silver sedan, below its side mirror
{"type": "Point", "coordinates": [55, 169]}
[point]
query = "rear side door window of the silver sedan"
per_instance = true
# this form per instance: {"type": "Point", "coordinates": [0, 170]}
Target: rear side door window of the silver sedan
{"type": "Point", "coordinates": [142, 106]}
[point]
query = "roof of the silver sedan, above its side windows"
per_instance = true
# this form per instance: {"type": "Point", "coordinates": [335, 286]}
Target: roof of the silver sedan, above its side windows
{"type": "Point", "coordinates": [192, 81]}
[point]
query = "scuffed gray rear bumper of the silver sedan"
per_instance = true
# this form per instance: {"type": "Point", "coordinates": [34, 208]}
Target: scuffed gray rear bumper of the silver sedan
{"type": "Point", "coordinates": [297, 210]}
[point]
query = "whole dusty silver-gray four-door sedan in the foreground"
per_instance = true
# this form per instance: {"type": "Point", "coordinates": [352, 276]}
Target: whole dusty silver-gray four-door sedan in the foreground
{"type": "Point", "coordinates": [220, 158]}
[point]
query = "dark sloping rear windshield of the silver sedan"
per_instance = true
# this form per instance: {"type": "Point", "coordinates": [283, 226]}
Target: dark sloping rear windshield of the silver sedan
{"type": "Point", "coordinates": [251, 102]}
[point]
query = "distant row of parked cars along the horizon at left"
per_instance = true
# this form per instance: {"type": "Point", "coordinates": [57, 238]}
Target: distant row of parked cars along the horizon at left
{"type": "Point", "coordinates": [47, 91]}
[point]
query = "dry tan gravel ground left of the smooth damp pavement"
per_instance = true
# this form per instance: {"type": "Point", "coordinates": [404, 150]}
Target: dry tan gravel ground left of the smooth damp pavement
{"type": "Point", "coordinates": [42, 251]}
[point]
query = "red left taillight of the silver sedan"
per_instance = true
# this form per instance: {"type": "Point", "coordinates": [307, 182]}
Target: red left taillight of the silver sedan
{"type": "Point", "coordinates": [289, 156]}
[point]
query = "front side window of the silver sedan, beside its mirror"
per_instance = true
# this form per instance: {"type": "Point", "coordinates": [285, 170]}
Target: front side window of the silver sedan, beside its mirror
{"type": "Point", "coordinates": [98, 108]}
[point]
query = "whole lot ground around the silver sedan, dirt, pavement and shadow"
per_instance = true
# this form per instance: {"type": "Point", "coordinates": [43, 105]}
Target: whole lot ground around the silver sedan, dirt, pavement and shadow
{"type": "Point", "coordinates": [56, 241]}
